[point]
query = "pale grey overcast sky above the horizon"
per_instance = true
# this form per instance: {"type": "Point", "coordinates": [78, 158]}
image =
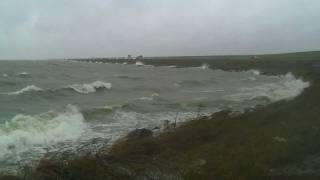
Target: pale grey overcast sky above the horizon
{"type": "Point", "coordinates": [102, 28]}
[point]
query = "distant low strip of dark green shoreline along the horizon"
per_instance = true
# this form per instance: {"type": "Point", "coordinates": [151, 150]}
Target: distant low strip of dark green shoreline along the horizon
{"type": "Point", "coordinates": [269, 64]}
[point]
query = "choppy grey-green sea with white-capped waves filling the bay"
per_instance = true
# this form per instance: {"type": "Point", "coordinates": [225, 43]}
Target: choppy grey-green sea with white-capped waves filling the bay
{"type": "Point", "coordinates": [68, 106]}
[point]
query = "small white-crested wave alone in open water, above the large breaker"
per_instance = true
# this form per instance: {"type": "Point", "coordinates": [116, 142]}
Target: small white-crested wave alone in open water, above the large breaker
{"type": "Point", "coordinates": [91, 87]}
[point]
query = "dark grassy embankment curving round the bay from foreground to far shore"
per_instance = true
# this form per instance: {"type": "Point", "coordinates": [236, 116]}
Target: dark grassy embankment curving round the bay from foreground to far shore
{"type": "Point", "coordinates": [279, 141]}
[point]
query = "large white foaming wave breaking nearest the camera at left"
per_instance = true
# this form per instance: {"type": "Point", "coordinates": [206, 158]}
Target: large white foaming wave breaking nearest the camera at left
{"type": "Point", "coordinates": [24, 132]}
